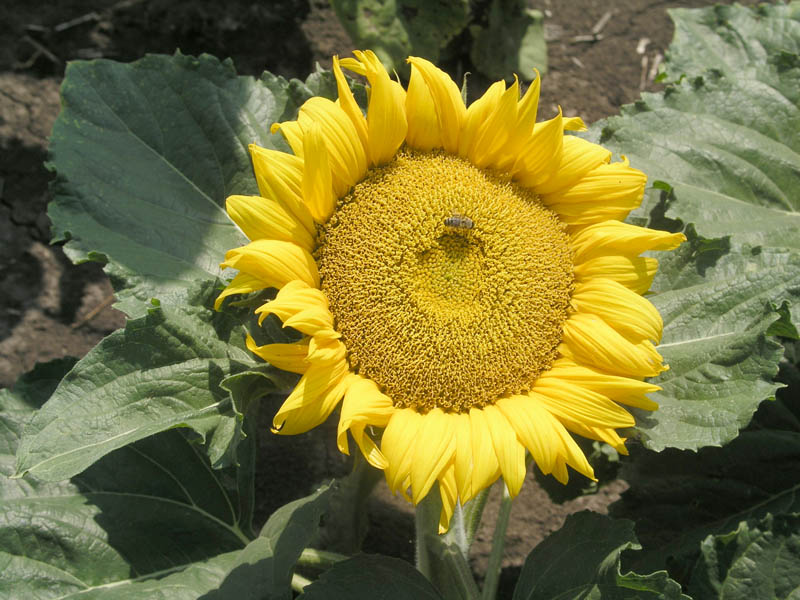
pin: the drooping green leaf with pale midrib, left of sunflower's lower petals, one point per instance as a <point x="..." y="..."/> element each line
<point x="170" y="368"/>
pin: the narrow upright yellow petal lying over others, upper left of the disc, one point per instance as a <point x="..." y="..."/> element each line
<point x="317" y="182"/>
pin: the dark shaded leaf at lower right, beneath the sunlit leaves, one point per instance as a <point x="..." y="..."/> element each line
<point x="678" y="498"/>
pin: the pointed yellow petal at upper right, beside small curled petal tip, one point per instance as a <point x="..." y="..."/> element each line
<point x="541" y="154"/>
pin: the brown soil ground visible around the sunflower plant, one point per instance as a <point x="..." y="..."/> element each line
<point x="51" y="308"/>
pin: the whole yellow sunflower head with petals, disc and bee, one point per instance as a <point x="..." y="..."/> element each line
<point x="462" y="278"/>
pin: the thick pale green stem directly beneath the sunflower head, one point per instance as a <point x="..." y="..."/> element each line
<point x="442" y="558"/>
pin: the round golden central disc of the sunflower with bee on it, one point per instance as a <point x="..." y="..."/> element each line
<point x="449" y="283"/>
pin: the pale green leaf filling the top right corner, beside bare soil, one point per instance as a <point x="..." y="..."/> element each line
<point x="731" y="38"/>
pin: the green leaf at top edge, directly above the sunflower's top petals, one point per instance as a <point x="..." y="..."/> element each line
<point x="399" y="28"/>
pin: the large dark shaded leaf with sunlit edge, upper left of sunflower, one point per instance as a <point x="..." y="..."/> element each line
<point x="146" y="153"/>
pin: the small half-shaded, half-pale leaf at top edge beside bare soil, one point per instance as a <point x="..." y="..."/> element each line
<point x="511" y="43"/>
